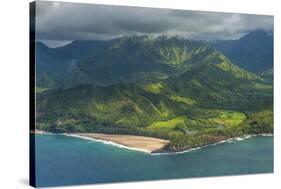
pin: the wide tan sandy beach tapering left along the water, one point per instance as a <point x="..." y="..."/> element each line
<point x="148" y="144"/>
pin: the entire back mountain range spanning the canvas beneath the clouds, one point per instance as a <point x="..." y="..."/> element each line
<point x="143" y="59"/>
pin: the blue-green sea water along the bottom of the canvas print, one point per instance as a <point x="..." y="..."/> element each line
<point x="63" y="160"/>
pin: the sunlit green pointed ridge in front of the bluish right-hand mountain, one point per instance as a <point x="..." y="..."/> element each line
<point x="219" y="83"/>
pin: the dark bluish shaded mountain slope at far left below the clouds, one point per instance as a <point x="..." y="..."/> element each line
<point x="54" y="64"/>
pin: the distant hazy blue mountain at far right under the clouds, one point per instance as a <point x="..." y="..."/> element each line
<point x="253" y="52"/>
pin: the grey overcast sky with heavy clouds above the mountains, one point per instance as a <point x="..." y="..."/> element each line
<point x="58" y="23"/>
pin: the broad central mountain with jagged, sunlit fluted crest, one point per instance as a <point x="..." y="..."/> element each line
<point x="136" y="59"/>
